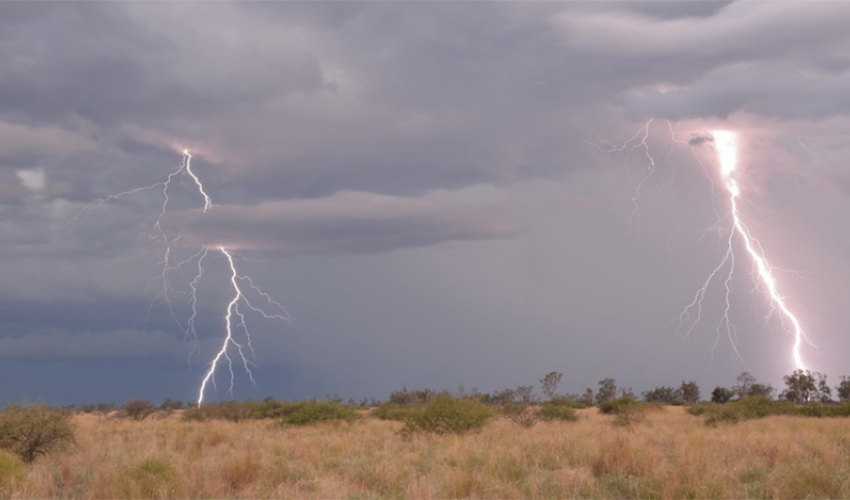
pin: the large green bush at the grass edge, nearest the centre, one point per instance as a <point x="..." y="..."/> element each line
<point x="446" y="415"/>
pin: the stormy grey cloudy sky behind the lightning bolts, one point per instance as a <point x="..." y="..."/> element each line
<point x="439" y="194"/>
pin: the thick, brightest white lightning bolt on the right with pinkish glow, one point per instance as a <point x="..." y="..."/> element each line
<point x="726" y="146"/>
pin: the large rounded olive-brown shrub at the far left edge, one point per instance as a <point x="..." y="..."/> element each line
<point x="34" y="430"/>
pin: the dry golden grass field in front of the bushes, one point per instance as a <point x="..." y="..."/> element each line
<point x="670" y="454"/>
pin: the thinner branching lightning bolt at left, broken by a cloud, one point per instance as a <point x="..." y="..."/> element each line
<point x="234" y="318"/>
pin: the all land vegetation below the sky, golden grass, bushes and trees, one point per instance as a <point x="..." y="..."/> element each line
<point x="428" y="444"/>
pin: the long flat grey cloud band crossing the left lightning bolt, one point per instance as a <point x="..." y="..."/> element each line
<point x="347" y="223"/>
